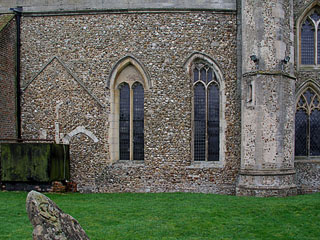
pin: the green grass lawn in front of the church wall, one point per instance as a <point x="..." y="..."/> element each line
<point x="173" y="216"/>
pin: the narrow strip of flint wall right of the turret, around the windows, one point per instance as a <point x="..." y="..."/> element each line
<point x="307" y="170"/>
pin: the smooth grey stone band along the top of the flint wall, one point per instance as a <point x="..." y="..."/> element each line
<point x="92" y="5"/>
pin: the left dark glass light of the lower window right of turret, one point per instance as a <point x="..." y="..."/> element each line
<point x="301" y="133"/>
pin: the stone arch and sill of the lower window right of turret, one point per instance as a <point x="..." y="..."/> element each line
<point x="316" y="88"/>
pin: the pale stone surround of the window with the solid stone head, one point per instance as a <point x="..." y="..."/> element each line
<point x="112" y="85"/>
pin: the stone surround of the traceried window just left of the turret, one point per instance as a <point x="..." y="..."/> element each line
<point x="221" y="83"/>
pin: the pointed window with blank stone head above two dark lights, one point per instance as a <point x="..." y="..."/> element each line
<point x="126" y="131"/>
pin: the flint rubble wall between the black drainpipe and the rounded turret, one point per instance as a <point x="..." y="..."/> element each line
<point x="66" y="62"/>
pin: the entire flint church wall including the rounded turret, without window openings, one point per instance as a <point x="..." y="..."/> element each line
<point x="71" y="51"/>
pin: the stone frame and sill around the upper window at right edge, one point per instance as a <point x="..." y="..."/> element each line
<point x="302" y="17"/>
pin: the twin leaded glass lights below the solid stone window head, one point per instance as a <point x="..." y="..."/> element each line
<point x="131" y="121"/>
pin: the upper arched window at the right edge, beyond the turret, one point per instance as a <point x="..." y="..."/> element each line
<point x="310" y="38"/>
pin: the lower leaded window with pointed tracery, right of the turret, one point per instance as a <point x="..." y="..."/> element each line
<point x="307" y="124"/>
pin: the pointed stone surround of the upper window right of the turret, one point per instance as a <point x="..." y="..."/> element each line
<point x="302" y="15"/>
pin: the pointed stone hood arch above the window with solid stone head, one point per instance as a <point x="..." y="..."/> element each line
<point x="124" y="62"/>
